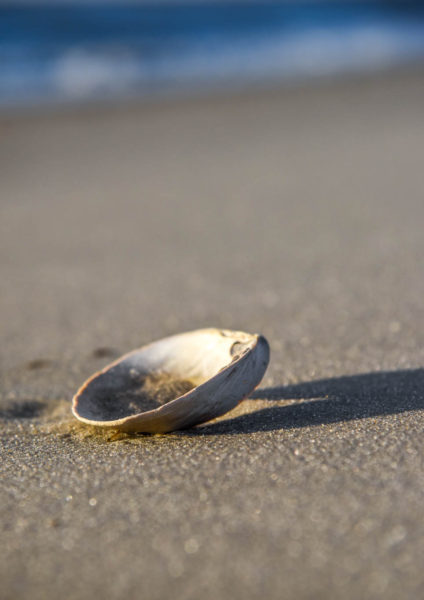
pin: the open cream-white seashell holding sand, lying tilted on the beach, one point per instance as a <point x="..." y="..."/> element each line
<point x="174" y="383"/>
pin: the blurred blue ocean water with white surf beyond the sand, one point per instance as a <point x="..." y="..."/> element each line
<point x="77" y="53"/>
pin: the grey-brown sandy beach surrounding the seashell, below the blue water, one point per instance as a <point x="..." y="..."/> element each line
<point x="294" y="213"/>
